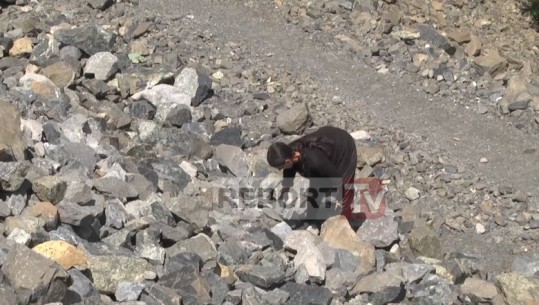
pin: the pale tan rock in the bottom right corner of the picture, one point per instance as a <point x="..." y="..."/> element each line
<point x="517" y="288"/>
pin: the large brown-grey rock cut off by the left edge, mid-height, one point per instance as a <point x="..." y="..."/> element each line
<point x="12" y="142"/>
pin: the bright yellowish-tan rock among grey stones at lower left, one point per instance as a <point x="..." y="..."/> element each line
<point x="65" y="254"/>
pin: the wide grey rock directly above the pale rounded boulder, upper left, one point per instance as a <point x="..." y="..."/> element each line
<point x="91" y="39"/>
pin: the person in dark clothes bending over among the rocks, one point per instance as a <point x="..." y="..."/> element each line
<point x="328" y="152"/>
